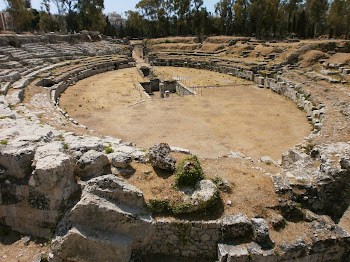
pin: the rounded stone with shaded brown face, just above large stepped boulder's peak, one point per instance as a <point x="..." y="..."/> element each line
<point x="92" y="163"/>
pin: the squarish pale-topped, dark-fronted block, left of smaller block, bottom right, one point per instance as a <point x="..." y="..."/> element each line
<point x="237" y="227"/>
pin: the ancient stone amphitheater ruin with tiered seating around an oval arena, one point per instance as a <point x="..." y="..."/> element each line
<point x="268" y="120"/>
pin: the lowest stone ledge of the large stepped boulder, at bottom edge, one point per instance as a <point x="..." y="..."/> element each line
<point x="86" y="244"/>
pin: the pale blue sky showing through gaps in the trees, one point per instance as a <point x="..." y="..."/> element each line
<point x="119" y="6"/>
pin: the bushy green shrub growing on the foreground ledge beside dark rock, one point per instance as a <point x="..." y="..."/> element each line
<point x="189" y="172"/>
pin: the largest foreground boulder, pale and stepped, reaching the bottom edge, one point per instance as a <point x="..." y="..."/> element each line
<point x="108" y="222"/>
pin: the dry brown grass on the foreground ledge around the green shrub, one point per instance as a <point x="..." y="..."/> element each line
<point x="251" y="192"/>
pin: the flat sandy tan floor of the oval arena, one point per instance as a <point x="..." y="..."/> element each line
<point x="240" y="117"/>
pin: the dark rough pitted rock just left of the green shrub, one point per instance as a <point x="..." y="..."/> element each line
<point x="160" y="157"/>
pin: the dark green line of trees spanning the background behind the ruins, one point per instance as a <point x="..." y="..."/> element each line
<point x="160" y="18"/>
